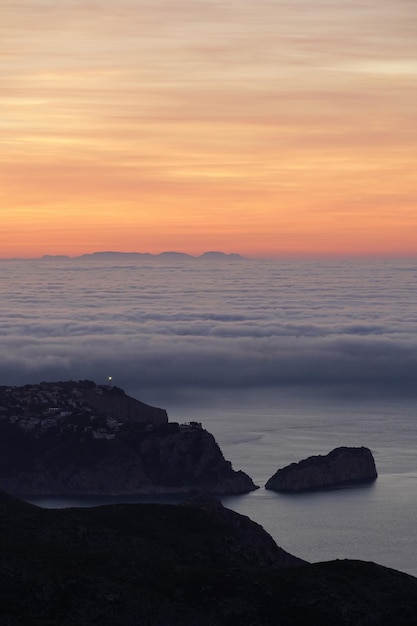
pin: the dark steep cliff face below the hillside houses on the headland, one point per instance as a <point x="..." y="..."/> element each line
<point x="166" y="459"/>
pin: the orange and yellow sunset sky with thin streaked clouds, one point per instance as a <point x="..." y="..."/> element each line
<point x="271" y="128"/>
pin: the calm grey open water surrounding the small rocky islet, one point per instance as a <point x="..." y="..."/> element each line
<point x="375" y="523"/>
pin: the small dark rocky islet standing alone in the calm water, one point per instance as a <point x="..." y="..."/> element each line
<point x="342" y="466"/>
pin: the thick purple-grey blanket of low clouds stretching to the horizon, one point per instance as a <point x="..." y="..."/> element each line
<point x="166" y="325"/>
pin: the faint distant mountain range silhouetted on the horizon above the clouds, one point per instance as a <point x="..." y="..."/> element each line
<point x="169" y="256"/>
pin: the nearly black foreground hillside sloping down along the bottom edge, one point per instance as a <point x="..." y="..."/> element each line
<point x="173" y="565"/>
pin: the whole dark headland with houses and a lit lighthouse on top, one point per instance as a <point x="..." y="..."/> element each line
<point x="83" y="439"/>
